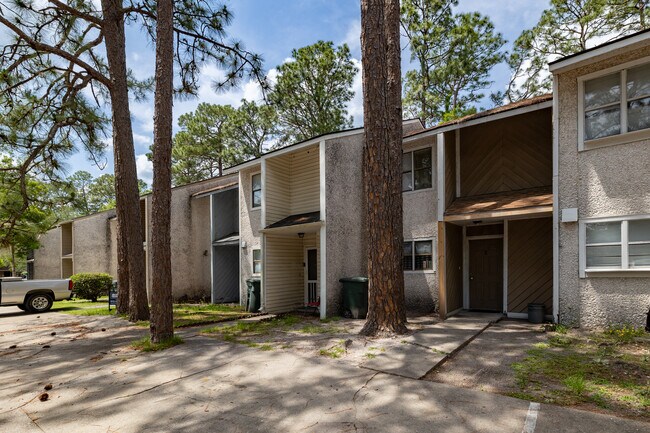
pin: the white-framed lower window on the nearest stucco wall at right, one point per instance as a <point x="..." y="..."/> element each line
<point x="617" y="245"/>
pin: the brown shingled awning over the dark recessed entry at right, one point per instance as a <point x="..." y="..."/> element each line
<point x="525" y="202"/>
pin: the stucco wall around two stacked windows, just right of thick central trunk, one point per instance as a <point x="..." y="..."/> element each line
<point x="420" y="212"/>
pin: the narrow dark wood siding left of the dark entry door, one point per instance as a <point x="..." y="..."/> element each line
<point x="454" y="266"/>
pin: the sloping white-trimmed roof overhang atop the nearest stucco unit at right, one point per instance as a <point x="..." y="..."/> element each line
<point x="591" y="55"/>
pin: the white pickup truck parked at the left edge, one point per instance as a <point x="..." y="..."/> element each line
<point x="33" y="296"/>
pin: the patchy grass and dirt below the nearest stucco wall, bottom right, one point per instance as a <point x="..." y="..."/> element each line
<point x="608" y="370"/>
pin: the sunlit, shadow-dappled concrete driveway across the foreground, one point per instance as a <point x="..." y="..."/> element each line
<point x="100" y="385"/>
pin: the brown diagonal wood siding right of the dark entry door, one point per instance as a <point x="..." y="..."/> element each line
<point x="530" y="264"/>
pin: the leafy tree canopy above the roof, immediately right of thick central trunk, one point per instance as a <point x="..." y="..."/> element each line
<point x="454" y="54"/>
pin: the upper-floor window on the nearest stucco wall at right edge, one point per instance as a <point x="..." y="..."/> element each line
<point x="616" y="103"/>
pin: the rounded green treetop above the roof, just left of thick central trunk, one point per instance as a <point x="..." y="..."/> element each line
<point x="312" y="91"/>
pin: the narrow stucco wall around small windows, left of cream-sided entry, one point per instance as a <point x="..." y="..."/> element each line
<point x="250" y="222"/>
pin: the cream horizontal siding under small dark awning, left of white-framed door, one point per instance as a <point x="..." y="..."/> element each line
<point x="284" y="273"/>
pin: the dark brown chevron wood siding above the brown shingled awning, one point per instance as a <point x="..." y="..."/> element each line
<point x="507" y="155"/>
